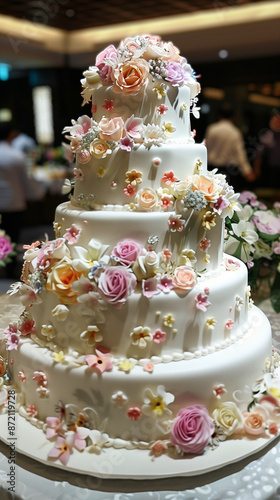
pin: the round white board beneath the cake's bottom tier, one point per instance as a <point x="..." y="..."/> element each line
<point x="132" y="464"/>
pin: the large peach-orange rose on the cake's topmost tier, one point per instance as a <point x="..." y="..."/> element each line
<point x="130" y="77"/>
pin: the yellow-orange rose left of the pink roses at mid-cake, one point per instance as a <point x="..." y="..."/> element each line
<point x="60" y="279"/>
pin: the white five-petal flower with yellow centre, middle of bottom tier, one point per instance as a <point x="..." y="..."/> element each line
<point x="156" y="404"/>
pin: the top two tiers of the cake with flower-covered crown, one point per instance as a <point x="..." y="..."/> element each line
<point x="139" y="133"/>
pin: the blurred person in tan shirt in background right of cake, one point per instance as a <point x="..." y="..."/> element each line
<point x="226" y="152"/>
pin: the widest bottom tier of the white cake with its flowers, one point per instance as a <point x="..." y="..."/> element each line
<point x="182" y="406"/>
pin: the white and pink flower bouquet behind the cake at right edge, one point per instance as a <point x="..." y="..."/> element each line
<point x="253" y="236"/>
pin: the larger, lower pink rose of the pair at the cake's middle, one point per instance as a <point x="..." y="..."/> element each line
<point x="115" y="285"/>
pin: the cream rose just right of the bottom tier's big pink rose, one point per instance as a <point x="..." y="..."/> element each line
<point x="228" y="417"/>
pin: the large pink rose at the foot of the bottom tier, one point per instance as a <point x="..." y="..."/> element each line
<point x="192" y="429"/>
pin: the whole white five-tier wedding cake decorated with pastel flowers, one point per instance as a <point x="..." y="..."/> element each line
<point x="137" y="331"/>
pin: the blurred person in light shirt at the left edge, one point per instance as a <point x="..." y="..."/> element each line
<point x="16" y="187"/>
